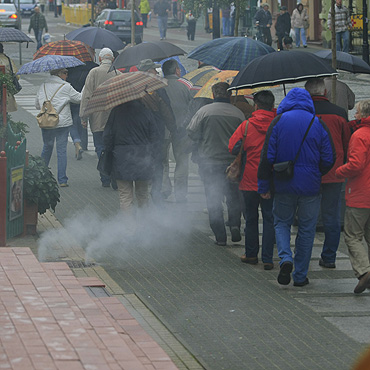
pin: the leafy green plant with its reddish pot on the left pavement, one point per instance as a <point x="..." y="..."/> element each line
<point x="41" y="191"/>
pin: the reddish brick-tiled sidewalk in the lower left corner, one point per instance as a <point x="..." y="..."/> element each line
<point x="48" y="321"/>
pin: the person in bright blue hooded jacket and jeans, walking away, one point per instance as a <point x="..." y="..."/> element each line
<point x="301" y="194"/>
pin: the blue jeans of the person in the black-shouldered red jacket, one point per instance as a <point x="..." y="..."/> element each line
<point x="330" y="214"/>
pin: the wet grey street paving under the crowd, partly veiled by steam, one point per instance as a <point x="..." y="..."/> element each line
<point x="205" y="303"/>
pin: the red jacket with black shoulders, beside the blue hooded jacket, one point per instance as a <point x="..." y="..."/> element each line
<point x="335" y="118"/>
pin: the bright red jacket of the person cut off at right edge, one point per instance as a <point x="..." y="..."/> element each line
<point x="357" y="169"/>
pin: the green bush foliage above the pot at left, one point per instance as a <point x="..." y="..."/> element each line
<point x="40" y="185"/>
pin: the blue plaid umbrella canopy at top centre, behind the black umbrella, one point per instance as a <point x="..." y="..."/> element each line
<point x="230" y="52"/>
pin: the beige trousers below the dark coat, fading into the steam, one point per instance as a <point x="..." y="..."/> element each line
<point x="126" y="194"/>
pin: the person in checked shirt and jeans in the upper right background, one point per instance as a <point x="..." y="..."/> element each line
<point x="342" y="26"/>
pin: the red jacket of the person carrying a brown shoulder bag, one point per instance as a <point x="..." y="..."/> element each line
<point x="256" y="134"/>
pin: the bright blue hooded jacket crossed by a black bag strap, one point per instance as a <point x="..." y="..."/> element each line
<point x="282" y="143"/>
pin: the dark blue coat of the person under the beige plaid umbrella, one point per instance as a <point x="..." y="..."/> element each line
<point x="131" y="133"/>
